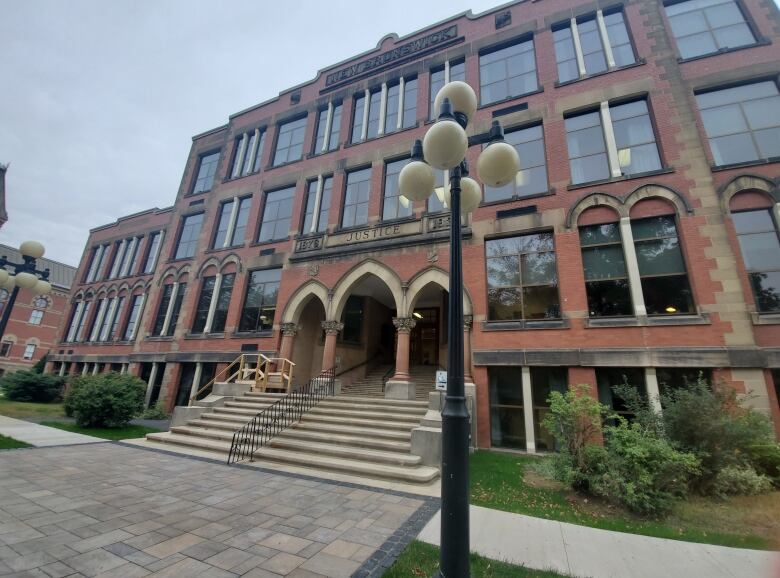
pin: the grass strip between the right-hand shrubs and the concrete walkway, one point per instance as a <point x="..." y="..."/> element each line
<point x="504" y="482"/>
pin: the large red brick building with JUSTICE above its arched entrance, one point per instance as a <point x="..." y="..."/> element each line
<point x="639" y="241"/>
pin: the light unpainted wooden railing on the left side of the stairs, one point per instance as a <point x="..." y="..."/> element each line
<point x="262" y="372"/>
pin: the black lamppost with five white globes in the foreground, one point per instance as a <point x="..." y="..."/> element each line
<point x="444" y="147"/>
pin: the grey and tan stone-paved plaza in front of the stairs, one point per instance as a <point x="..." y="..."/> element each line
<point x="116" y="510"/>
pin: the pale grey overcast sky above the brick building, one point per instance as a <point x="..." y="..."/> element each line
<point x="99" y="100"/>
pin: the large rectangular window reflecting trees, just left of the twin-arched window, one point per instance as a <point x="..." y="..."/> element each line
<point x="522" y="278"/>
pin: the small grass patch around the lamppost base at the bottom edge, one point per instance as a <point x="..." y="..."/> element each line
<point x="422" y="560"/>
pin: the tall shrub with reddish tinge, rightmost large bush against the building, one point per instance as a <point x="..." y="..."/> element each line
<point x="711" y="423"/>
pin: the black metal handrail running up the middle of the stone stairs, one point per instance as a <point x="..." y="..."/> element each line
<point x="279" y="415"/>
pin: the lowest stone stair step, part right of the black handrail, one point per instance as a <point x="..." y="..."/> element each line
<point x="417" y="474"/>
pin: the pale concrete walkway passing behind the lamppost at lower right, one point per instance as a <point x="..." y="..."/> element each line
<point x="589" y="552"/>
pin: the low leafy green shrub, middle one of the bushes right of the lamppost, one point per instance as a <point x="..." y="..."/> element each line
<point x="639" y="470"/>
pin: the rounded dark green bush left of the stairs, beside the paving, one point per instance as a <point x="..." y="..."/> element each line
<point x="105" y="400"/>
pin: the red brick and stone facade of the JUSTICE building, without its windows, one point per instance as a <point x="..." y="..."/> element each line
<point x="724" y="334"/>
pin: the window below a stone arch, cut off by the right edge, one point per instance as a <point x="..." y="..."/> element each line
<point x="760" y="247"/>
